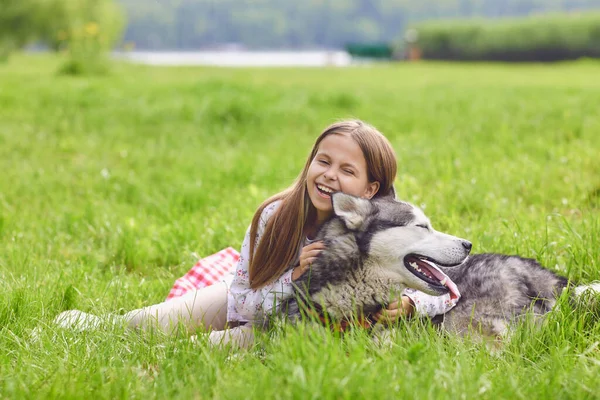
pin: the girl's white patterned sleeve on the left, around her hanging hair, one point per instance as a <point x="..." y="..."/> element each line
<point x="251" y="304"/>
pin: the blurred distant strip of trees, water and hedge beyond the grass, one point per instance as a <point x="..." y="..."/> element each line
<point x="313" y="32"/>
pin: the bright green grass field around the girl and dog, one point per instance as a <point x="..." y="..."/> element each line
<point x="111" y="187"/>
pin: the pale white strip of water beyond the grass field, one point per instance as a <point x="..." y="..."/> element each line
<point x="240" y="58"/>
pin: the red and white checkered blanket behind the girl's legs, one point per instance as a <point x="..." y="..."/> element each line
<point x="205" y="272"/>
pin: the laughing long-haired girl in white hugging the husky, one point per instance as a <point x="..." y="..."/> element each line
<point x="348" y="156"/>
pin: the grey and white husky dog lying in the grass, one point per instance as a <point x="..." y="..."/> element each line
<point x="376" y="248"/>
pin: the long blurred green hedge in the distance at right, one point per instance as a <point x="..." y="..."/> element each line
<point x="539" y="38"/>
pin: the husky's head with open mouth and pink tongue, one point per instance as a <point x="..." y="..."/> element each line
<point x="398" y="238"/>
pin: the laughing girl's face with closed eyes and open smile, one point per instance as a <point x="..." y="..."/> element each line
<point x="338" y="166"/>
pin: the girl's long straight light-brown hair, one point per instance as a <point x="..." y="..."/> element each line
<point x="283" y="235"/>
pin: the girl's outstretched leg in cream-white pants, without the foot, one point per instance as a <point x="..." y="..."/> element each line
<point x="205" y="307"/>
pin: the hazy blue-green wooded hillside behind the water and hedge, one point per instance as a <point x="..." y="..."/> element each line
<point x="194" y="24"/>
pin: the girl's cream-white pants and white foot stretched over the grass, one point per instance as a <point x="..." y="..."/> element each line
<point x="206" y="307"/>
